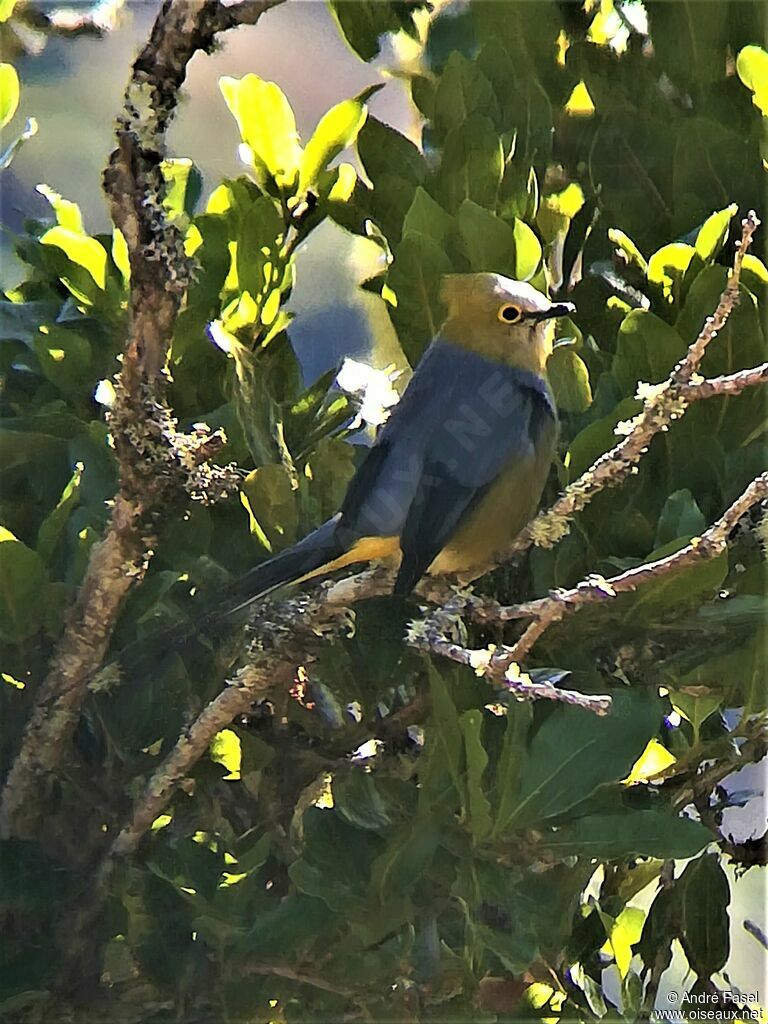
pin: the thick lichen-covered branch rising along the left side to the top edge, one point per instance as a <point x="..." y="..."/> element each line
<point x="157" y="467"/>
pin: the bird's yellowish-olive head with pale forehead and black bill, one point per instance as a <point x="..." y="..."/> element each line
<point x="503" y="320"/>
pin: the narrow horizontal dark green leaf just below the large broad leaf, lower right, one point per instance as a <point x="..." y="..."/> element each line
<point x="659" y="834"/>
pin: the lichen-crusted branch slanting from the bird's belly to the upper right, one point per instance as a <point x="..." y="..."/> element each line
<point x="662" y="405"/>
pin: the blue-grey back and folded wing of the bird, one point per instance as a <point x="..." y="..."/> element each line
<point x="462" y="420"/>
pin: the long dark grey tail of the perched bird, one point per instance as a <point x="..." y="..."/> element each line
<point x="319" y="548"/>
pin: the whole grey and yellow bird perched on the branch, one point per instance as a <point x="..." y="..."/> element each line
<point x="458" y="470"/>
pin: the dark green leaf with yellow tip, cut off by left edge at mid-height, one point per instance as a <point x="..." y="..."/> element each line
<point x="22" y="582"/>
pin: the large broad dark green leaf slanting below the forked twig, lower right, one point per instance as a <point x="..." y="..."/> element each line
<point x="574" y="753"/>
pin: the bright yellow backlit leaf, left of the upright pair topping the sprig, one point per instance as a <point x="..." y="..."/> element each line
<point x="267" y="125"/>
